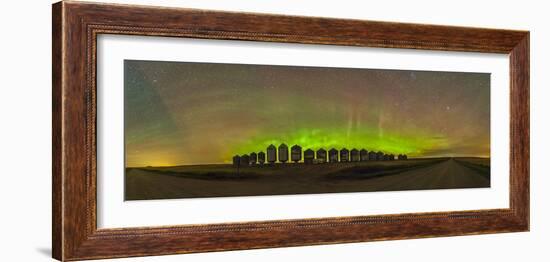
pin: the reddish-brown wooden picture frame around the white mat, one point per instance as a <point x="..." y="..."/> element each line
<point x="76" y="26"/>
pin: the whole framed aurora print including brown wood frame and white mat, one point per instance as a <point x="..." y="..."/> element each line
<point x="182" y="130"/>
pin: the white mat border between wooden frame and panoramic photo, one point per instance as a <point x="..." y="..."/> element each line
<point x="113" y="212"/>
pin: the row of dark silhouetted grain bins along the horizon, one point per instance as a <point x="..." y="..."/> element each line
<point x="281" y="155"/>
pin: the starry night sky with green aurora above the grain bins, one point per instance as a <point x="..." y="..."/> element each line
<point x="180" y="113"/>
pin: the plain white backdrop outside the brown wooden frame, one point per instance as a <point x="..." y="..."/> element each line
<point x="25" y="136"/>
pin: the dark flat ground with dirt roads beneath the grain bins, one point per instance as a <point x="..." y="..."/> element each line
<point x="282" y="179"/>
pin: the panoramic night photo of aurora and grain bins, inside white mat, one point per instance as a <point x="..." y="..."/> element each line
<point x="196" y="130"/>
